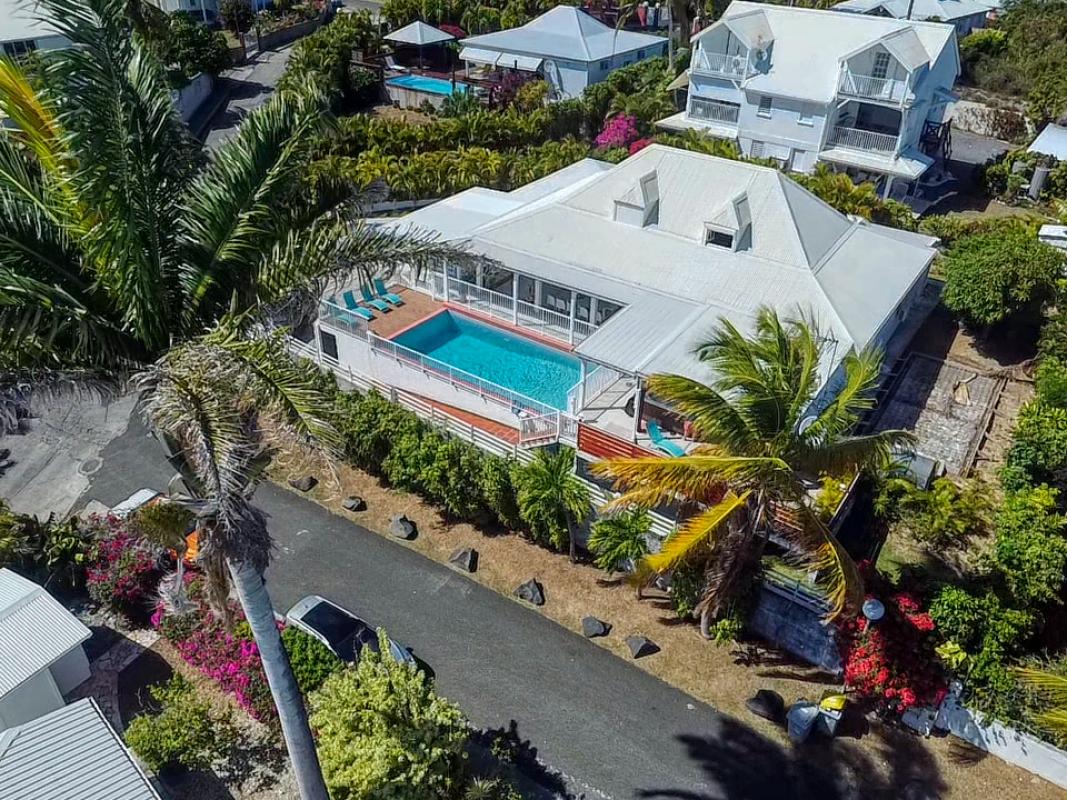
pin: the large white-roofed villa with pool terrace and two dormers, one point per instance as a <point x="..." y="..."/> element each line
<point x="601" y="276"/>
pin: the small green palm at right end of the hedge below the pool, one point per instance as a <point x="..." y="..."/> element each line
<point x="551" y="499"/>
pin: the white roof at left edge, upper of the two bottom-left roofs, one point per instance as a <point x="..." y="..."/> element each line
<point x="36" y="631"/>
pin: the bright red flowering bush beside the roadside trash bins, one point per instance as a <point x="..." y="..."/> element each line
<point x="893" y="661"/>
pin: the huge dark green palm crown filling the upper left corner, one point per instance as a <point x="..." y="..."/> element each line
<point x="119" y="237"/>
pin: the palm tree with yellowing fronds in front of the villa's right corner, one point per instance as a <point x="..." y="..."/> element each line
<point x="761" y="440"/>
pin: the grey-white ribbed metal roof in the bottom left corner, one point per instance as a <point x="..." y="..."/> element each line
<point x="70" y="755"/>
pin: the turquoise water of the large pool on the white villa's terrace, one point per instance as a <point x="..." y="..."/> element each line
<point x="536" y="371"/>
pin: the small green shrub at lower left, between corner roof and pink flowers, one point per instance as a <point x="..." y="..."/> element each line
<point x="187" y="732"/>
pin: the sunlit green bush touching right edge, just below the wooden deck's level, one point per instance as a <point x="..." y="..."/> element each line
<point x="1030" y="551"/>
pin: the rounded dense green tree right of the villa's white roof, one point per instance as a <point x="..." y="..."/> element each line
<point x="991" y="278"/>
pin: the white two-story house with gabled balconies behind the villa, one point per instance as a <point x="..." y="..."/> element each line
<point x="865" y="94"/>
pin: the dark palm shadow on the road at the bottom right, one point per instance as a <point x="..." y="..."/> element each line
<point x="741" y="764"/>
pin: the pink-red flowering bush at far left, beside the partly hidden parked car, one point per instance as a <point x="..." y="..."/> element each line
<point x="124" y="568"/>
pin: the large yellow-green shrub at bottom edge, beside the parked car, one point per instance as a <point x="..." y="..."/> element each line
<point x="385" y="733"/>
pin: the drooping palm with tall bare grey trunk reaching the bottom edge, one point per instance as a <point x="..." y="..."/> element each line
<point x="226" y="399"/>
